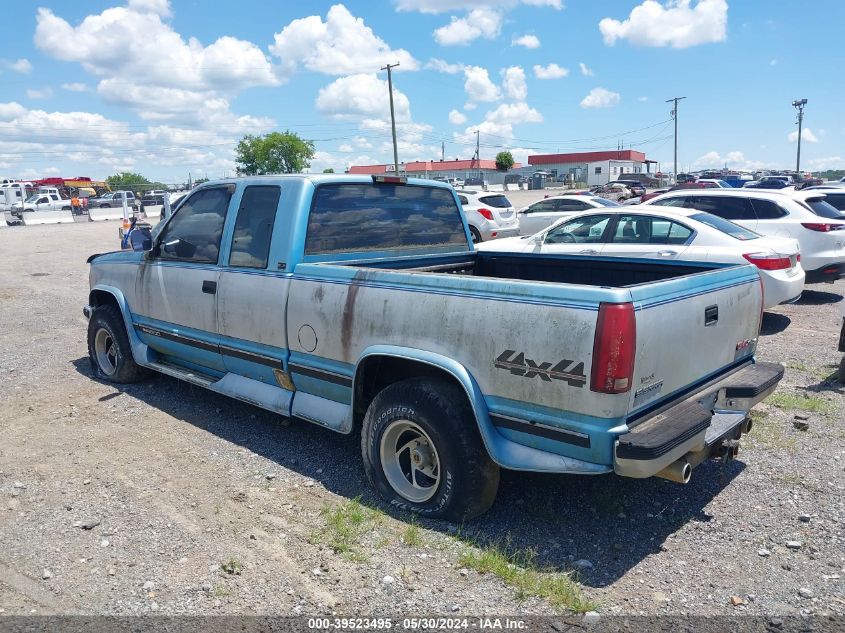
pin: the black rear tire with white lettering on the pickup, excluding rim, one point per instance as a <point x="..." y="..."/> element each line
<point x="468" y="478"/>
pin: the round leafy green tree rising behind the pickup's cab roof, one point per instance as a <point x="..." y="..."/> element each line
<point x="274" y="153"/>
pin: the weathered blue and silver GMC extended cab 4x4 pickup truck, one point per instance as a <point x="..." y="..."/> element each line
<point x="359" y="304"/>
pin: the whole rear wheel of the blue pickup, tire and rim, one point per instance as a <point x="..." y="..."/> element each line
<point x="423" y="453"/>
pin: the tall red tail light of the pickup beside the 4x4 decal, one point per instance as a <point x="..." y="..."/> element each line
<point x="614" y="348"/>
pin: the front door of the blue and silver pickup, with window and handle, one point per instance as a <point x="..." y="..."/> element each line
<point x="176" y="288"/>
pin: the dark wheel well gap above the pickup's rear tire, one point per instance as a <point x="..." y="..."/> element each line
<point x="377" y="372"/>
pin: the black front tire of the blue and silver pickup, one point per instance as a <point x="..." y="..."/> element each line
<point x="107" y="322"/>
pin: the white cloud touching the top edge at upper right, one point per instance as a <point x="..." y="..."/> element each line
<point x="676" y="24"/>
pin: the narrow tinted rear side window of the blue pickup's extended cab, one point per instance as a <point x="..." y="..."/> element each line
<point x="254" y="227"/>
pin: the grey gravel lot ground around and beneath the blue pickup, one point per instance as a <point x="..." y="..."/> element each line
<point x="161" y="497"/>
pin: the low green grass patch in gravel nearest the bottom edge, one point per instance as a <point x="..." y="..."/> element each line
<point x="520" y="571"/>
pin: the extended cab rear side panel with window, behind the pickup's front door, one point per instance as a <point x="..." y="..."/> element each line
<point x="253" y="290"/>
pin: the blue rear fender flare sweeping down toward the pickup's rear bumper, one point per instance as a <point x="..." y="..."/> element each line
<point x="504" y="452"/>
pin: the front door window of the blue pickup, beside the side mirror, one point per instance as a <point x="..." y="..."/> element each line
<point x="193" y="233"/>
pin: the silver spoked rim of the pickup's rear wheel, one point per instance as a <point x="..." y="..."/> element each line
<point x="410" y="461"/>
